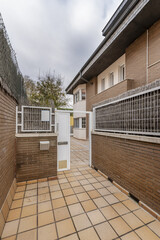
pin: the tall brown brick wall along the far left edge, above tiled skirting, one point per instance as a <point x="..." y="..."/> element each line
<point x="7" y="143"/>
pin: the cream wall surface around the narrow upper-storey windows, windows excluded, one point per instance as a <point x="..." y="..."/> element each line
<point x="112" y="68"/>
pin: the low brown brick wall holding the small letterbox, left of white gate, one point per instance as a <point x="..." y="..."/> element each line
<point x="33" y="163"/>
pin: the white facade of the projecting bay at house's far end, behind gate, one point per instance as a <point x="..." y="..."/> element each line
<point x="79" y="105"/>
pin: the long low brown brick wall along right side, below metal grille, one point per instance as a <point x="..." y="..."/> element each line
<point x="134" y="165"/>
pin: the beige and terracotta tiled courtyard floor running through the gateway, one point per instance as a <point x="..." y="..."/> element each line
<point x="81" y="204"/>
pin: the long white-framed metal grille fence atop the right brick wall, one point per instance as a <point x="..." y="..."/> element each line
<point x="137" y="114"/>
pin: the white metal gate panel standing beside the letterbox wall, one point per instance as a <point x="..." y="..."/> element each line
<point x="63" y="130"/>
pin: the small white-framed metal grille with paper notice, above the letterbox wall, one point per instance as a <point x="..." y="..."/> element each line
<point x="35" y="119"/>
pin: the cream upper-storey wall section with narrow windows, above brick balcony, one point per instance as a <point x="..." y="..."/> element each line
<point x="104" y="77"/>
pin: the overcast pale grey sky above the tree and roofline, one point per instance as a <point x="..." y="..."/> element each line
<point x="58" y="35"/>
